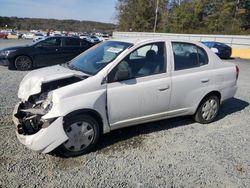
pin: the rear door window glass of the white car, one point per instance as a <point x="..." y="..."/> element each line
<point x="188" y="56"/>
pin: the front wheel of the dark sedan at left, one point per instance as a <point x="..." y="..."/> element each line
<point x="23" y="63"/>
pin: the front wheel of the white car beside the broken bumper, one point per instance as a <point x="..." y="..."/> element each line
<point x="71" y="124"/>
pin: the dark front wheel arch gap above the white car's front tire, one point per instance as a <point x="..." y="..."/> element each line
<point x="91" y="113"/>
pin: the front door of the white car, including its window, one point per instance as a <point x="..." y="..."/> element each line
<point x="144" y="94"/>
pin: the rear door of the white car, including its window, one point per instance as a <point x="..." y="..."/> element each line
<point x="191" y="76"/>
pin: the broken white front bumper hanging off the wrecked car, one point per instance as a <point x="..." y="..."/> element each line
<point x="46" y="139"/>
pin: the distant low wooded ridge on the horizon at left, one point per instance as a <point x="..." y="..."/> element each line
<point x="53" y="24"/>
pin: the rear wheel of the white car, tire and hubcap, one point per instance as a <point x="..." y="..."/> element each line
<point x="207" y="110"/>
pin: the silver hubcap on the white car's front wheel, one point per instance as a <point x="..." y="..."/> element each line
<point x="80" y="134"/>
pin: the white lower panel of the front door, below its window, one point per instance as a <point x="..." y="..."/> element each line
<point x="144" y="96"/>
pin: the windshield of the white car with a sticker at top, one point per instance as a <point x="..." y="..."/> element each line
<point x="96" y="58"/>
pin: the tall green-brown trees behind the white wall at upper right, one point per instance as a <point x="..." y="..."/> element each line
<point x="185" y="16"/>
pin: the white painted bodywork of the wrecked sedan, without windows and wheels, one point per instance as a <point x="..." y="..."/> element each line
<point x="130" y="102"/>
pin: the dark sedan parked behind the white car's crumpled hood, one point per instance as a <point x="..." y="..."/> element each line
<point x="45" y="52"/>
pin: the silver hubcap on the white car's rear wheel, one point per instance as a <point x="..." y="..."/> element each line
<point x="209" y="109"/>
